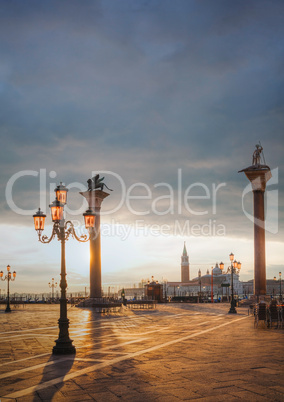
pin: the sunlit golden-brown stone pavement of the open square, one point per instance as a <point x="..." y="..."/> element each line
<point x="174" y="353"/>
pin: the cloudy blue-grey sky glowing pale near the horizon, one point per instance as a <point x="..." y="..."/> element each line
<point x="171" y="94"/>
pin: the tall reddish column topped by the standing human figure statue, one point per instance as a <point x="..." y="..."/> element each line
<point x="258" y="174"/>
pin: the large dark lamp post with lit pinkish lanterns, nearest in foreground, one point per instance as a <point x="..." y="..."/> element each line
<point x="62" y="230"/>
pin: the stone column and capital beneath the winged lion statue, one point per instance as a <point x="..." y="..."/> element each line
<point x="95" y="199"/>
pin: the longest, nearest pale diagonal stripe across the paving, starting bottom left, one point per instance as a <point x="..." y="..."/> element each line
<point x="99" y="366"/>
